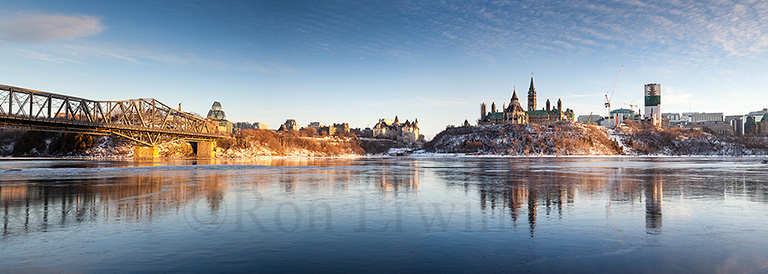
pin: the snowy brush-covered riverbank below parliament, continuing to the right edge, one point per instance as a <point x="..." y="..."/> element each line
<point x="589" y="140"/>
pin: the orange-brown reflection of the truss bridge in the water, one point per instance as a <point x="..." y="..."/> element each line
<point x="35" y="205"/>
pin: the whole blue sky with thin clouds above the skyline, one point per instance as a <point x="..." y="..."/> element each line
<point x="359" y="61"/>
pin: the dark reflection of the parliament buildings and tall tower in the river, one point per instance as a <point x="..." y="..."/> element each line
<point x="531" y="193"/>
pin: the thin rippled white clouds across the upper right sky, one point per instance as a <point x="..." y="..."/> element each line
<point x="692" y="30"/>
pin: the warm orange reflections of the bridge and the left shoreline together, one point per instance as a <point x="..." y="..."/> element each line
<point x="38" y="199"/>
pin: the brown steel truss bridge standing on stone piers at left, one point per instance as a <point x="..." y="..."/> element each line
<point x="147" y="122"/>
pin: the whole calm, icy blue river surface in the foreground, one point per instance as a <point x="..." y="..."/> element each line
<point x="605" y="215"/>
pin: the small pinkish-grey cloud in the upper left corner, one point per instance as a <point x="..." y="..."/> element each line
<point x="41" y="28"/>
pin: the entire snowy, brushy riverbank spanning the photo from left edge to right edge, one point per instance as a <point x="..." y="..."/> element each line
<point x="566" y="139"/>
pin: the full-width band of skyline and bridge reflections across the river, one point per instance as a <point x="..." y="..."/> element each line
<point x="516" y="187"/>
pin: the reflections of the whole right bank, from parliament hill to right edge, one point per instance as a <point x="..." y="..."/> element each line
<point x="522" y="186"/>
